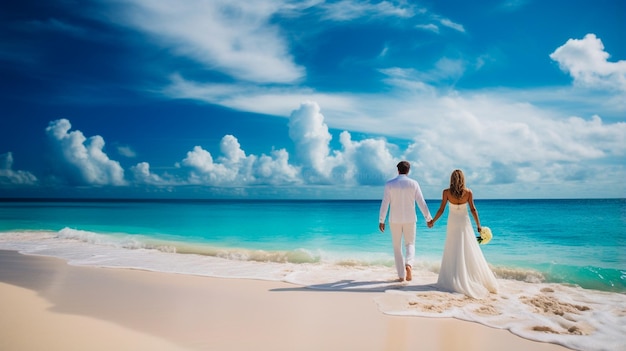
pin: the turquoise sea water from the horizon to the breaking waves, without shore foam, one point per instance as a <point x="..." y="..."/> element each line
<point x="580" y="242"/>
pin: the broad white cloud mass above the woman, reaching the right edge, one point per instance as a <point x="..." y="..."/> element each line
<point x="479" y="133"/>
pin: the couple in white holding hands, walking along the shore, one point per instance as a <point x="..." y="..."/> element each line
<point x="463" y="266"/>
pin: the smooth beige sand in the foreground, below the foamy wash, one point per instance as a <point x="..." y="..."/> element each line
<point x="48" y="304"/>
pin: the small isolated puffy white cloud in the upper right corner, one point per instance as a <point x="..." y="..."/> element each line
<point x="587" y="62"/>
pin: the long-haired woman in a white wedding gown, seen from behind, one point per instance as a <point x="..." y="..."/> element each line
<point x="463" y="266"/>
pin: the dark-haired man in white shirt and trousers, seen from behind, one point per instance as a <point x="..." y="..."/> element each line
<point x="401" y="194"/>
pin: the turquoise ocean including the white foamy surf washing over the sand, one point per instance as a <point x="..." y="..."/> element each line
<point x="564" y="253"/>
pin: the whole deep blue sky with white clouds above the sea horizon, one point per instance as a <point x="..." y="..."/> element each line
<point x="311" y="99"/>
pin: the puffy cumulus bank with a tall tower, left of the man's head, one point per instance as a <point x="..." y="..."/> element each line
<point x="365" y="162"/>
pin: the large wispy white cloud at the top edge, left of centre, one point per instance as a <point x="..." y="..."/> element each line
<point x="237" y="38"/>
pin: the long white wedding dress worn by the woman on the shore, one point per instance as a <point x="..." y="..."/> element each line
<point x="463" y="266"/>
